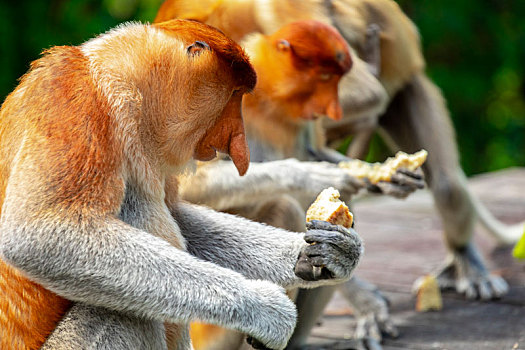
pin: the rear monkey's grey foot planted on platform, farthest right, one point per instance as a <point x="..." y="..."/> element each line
<point x="465" y="272"/>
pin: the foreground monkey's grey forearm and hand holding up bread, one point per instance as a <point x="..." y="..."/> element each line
<point x="259" y="251"/>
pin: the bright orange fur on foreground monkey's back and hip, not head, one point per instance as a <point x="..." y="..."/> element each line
<point x="30" y="312"/>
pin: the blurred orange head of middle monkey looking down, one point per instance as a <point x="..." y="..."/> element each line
<point x="306" y="59"/>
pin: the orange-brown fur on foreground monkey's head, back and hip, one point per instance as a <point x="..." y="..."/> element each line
<point x="60" y="120"/>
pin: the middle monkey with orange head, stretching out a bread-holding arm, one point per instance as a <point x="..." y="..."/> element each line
<point x="298" y="68"/>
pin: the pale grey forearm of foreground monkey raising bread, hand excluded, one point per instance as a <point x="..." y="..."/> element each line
<point x="257" y="251"/>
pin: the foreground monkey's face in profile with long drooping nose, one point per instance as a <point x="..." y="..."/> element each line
<point x="216" y="75"/>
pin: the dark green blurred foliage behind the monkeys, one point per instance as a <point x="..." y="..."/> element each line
<point x="475" y="52"/>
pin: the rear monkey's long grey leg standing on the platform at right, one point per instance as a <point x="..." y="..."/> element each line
<point x="417" y="118"/>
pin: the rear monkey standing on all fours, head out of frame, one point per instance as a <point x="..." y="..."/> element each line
<point x="402" y="104"/>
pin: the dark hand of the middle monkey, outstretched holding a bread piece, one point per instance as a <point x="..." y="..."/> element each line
<point x="402" y="183"/>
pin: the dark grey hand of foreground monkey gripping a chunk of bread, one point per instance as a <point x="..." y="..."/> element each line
<point x="332" y="253"/>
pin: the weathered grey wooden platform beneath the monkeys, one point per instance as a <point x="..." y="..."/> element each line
<point x="403" y="241"/>
